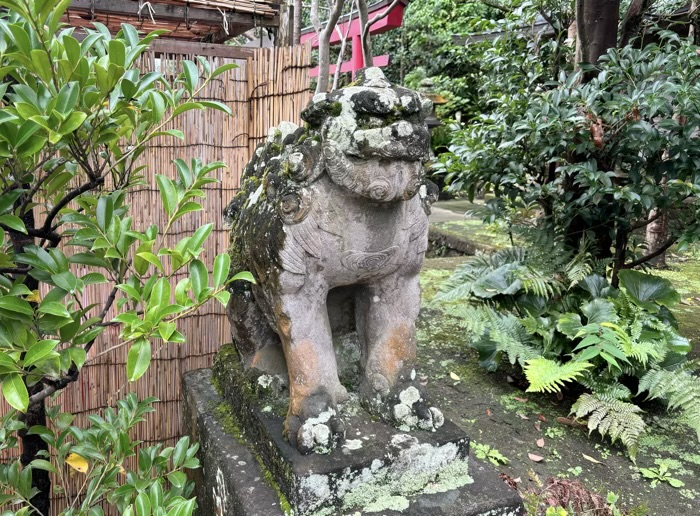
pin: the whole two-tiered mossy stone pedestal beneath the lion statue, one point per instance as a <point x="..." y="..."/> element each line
<point x="249" y="469"/>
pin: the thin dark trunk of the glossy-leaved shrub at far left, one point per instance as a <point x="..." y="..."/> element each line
<point x="36" y="413"/>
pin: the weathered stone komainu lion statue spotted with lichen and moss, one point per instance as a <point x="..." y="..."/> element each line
<point x="332" y="221"/>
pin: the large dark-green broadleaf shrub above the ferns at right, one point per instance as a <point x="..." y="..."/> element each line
<point x="597" y="158"/>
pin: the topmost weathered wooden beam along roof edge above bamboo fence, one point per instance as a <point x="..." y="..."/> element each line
<point x="171" y="12"/>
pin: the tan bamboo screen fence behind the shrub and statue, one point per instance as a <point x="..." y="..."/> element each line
<point x="270" y="85"/>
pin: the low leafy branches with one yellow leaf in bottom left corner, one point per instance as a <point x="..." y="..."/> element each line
<point x="100" y="453"/>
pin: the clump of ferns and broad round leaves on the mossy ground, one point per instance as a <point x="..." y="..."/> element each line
<point x="550" y="313"/>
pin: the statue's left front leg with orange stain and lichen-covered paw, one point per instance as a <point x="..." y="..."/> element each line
<point x="314" y="388"/>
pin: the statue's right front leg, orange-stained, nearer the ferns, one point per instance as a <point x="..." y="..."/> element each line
<point x="386" y="325"/>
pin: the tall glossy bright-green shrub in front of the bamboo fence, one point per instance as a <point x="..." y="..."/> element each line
<point x="75" y="117"/>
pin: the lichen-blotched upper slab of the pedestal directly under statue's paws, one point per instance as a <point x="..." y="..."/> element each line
<point x="375" y="458"/>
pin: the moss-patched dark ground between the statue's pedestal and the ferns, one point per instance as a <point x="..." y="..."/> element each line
<point x="494" y="410"/>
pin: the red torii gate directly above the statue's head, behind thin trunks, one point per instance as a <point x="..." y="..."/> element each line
<point x="392" y="20"/>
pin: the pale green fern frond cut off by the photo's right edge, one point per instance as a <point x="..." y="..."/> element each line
<point x="679" y="388"/>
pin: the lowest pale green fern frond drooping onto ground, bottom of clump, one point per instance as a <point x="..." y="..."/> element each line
<point x="613" y="417"/>
